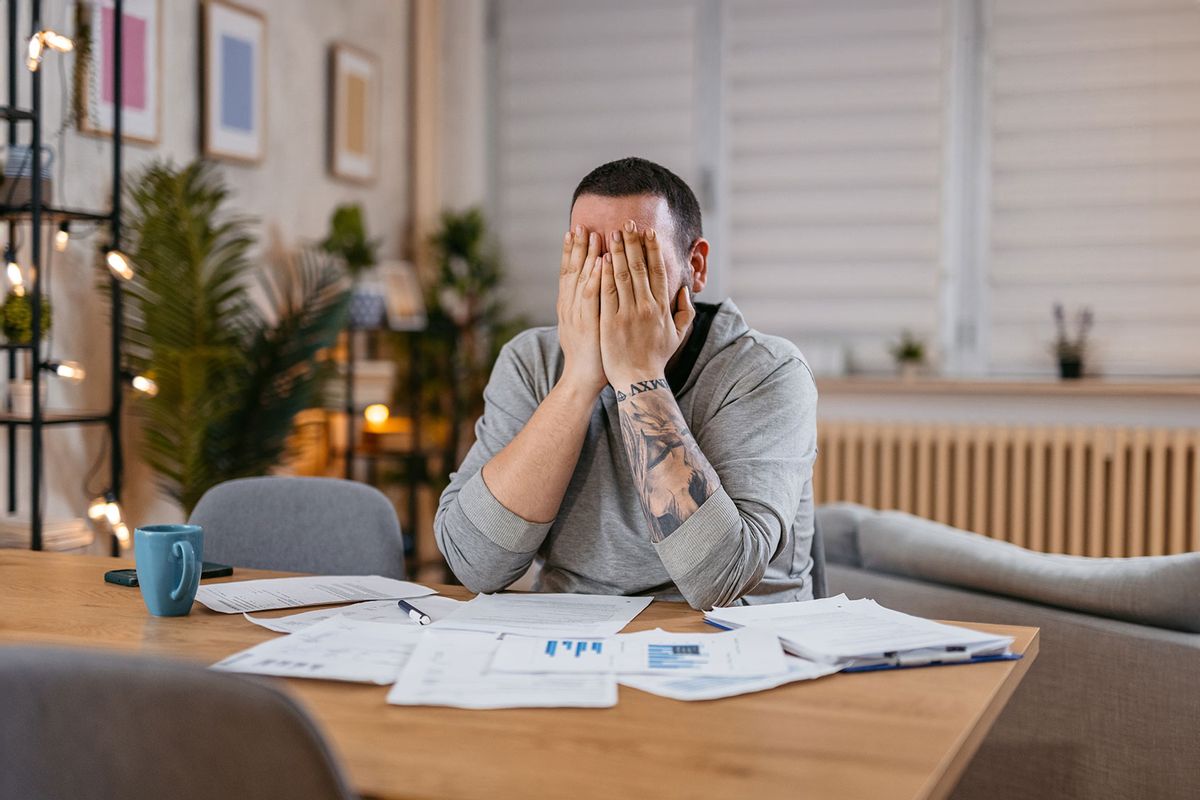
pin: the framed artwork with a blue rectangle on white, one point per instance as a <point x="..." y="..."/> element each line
<point x="233" y="103"/>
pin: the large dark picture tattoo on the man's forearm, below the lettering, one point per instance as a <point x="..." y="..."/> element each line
<point x="674" y="479"/>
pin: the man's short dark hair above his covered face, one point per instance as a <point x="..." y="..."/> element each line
<point x="633" y="176"/>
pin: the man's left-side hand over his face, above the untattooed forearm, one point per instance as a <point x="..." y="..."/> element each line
<point x="579" y="311"/>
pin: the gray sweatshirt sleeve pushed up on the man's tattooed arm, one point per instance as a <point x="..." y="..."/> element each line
<point x="761" y="444"/>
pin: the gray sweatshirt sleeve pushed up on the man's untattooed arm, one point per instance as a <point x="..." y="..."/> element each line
<point x="487" y="545"/>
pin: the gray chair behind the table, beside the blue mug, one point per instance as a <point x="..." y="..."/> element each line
<point x="302" y="525"/>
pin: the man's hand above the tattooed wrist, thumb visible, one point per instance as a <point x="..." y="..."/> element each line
<point x="639" y="333"/>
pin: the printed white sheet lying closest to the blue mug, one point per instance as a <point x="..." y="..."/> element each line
<point x="241" y="597"/>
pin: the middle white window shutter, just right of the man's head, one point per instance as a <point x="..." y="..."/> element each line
<point x="835" y="128"/>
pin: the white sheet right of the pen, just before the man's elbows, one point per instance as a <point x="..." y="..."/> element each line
<point x="545" y="615"/>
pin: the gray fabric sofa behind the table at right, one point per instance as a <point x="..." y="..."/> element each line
<point x="1112" y="706"/>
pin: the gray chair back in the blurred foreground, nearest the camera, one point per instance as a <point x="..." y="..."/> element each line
<point x="97" y="726"/>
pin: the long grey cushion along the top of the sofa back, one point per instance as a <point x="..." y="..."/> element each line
<point x="1160" y="591"/>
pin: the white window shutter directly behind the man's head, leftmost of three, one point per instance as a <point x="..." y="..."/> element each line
<point x="563" y="67"/>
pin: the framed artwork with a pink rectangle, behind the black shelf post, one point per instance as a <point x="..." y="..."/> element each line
<point x="141" y="69"/>
